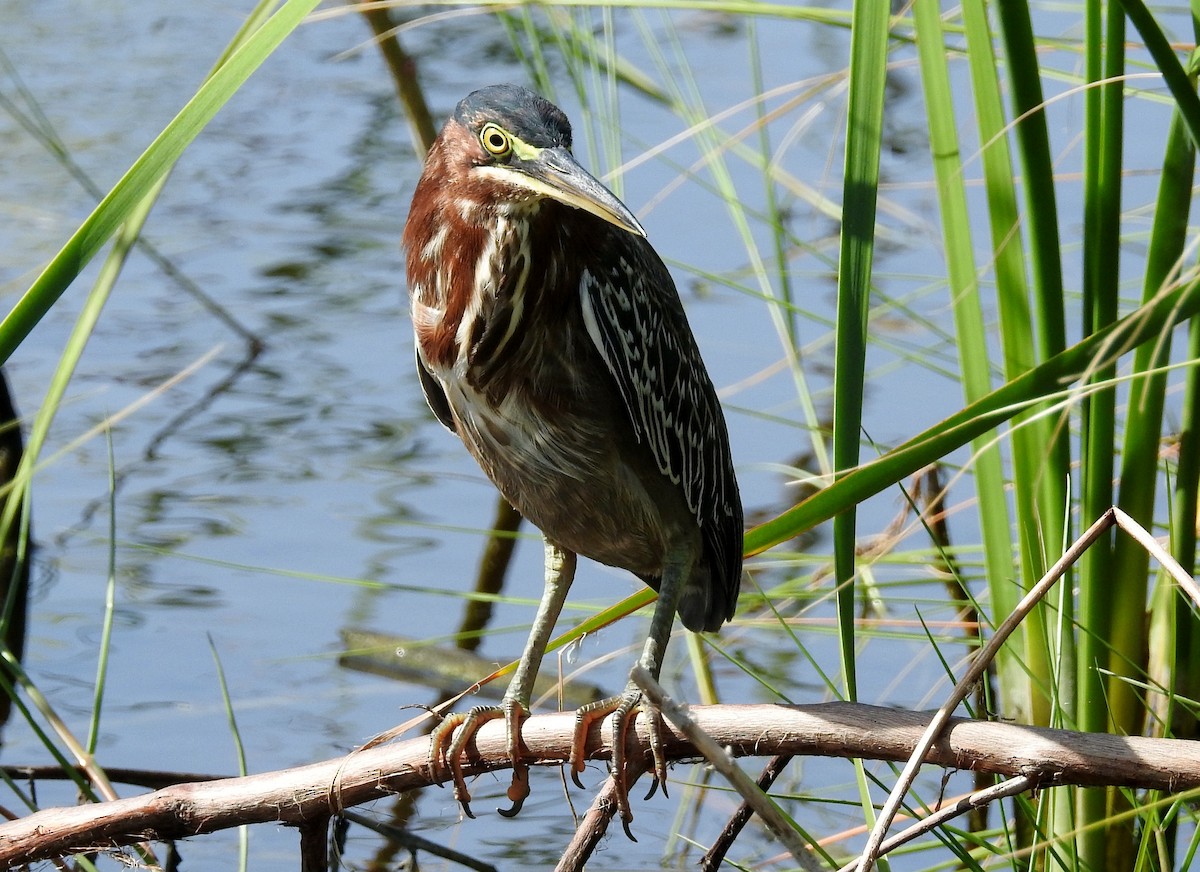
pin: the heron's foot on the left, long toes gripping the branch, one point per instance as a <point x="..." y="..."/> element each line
<point x="449" y="742"/>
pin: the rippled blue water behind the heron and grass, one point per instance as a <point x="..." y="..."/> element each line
<point x="263" y="507"/>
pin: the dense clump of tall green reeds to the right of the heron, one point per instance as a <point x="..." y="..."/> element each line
<point x="1065" y="393"/>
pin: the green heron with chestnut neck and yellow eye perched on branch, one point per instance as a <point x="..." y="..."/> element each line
<point x="551" y="339"/>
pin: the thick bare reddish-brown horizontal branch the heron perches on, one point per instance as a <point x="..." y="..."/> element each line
<point x="835" y="730"/>
